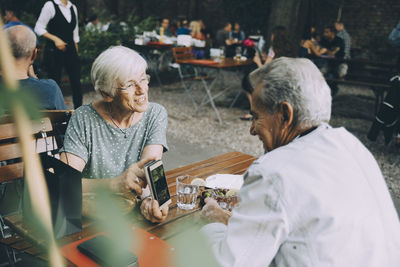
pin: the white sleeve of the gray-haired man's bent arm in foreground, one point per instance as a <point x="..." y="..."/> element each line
<point x="257" y="228"/>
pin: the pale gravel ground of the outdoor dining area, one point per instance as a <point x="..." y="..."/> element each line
<point x="353" y="108"/>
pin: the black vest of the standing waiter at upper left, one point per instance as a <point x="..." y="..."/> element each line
<point x="60" y="27"/>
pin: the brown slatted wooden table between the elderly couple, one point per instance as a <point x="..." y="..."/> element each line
<point x="229" y="163"/>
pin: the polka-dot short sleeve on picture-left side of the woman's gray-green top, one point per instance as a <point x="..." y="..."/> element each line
<point x="75" y="138"/>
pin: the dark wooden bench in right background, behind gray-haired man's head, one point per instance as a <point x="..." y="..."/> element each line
<point x="365" y="73"/>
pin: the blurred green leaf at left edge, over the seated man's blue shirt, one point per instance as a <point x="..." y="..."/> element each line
<point x="8" y="98"/>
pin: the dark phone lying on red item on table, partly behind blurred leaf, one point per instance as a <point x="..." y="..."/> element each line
<point x="103" y="251"/>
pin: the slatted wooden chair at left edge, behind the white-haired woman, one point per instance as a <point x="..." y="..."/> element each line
<point x="47" y="132"/>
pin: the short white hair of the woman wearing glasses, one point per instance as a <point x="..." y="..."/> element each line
<point x="115" y="66"/>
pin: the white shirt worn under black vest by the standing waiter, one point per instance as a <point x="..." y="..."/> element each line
<point x="48" y="12"/>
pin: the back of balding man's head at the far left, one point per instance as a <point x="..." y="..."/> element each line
<point x="22" y="41"/>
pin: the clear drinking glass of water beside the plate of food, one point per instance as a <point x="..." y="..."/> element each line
<point x="186" y="192"/>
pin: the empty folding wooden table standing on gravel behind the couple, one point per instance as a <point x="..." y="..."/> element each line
<point x="225" y="64"/>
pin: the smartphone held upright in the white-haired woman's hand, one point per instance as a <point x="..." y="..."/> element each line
<point x="157" y="182"/>
